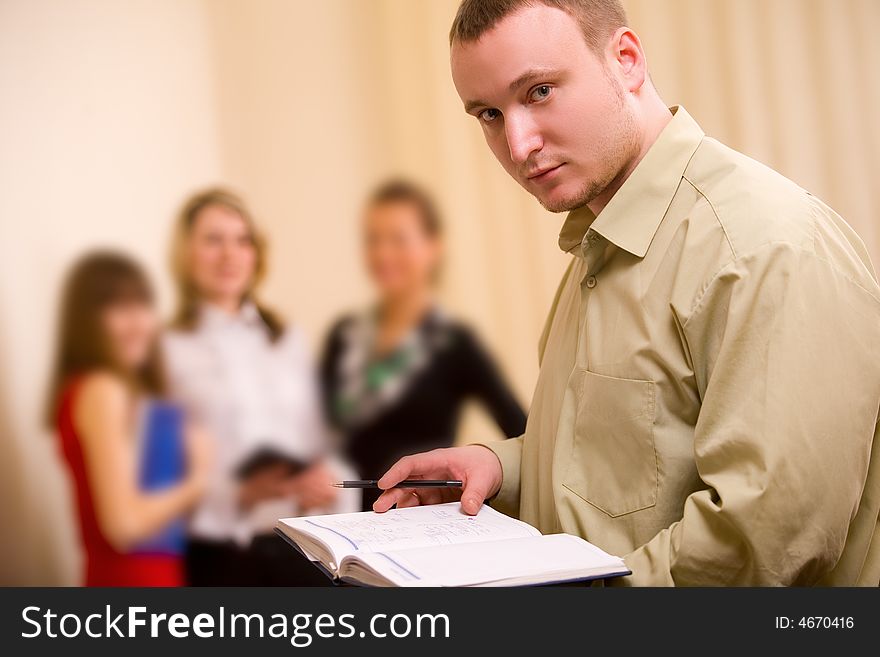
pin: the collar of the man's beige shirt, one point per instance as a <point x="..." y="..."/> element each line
<point x="634" y="213"/>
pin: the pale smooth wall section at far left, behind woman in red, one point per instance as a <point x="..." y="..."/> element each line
<point x="108" y="117"/>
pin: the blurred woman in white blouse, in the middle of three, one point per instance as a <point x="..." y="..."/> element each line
<point x="246" y="375"/>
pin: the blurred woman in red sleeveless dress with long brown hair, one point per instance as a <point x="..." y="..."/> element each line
<point x="107" y="372"/>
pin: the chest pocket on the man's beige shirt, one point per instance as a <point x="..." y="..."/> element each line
<point x="613" y="463"/>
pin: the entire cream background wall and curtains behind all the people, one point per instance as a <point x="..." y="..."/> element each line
<point x="112" y="112"/>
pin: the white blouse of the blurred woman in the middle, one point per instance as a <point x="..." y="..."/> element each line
<point x="248" y="393"/>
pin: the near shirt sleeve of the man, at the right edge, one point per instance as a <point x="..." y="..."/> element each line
<point x="785" y="358"/>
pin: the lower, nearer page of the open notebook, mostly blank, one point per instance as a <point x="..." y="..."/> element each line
<point x="551" y="557"/>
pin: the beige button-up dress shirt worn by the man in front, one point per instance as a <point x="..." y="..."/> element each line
<point x="710" y="380"/>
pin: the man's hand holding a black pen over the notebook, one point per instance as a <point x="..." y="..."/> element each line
<point x="476" y="466"/>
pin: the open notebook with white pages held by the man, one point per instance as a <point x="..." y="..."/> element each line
<point x="439" y="545"/>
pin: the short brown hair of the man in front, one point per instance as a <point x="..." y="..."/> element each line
<point x="598" y="19"/>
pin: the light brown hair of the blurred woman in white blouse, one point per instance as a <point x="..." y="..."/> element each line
<point x="187" y="313"/>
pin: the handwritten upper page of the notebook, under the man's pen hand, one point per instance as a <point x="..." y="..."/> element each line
<point x="420" y="526"/>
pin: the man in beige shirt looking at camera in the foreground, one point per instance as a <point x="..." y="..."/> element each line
<point x="710" y="375"/>
